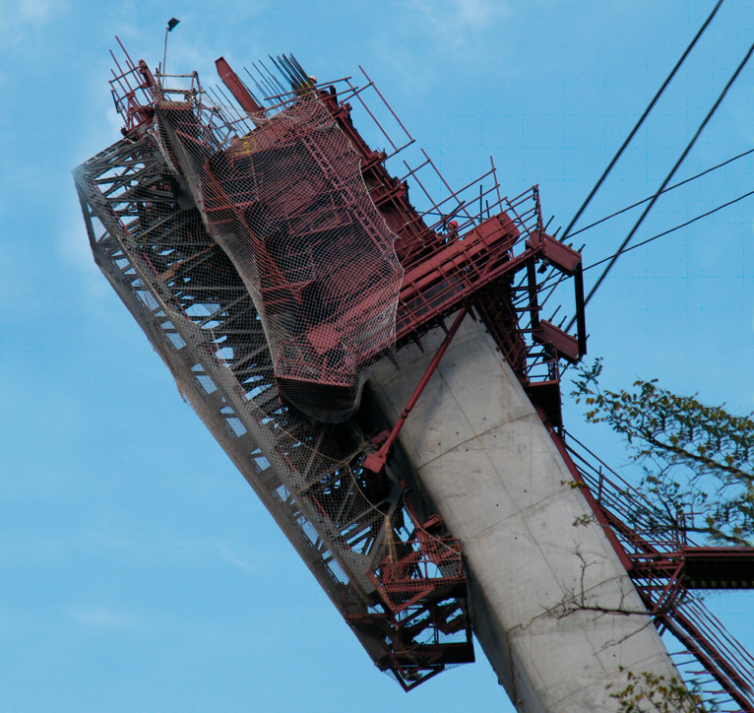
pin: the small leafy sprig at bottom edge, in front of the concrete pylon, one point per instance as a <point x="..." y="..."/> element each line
<point x="648" y="693"/>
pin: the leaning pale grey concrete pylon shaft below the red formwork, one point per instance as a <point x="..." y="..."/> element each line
<point x="552" y="606"/>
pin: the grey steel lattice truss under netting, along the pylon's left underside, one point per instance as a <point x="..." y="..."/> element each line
<point x="396" y="584"/>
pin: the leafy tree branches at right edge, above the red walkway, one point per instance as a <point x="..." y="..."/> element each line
<point x="695" y="459"/>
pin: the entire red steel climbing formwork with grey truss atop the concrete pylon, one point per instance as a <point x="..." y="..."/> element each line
<point x="188" y="230"/>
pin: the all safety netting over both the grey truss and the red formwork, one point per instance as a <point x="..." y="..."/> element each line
<point x="189" y="218"/>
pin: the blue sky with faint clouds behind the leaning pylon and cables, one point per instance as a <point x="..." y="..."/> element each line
<point x="137" y="569"/>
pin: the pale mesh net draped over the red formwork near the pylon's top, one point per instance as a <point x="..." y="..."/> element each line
<point x="289" y="206"/>
